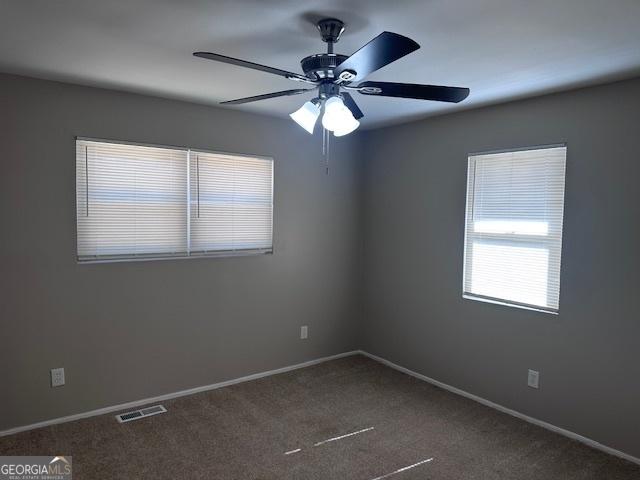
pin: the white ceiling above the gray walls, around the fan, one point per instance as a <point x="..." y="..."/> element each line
<point x="501" y="49"/>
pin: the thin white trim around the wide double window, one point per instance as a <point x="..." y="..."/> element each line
<point x="178" y="256"/>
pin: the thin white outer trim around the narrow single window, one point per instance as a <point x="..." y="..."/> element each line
<point x="502" y="301"/>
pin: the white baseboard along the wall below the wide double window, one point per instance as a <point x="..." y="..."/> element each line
<point x="168" y="396"/>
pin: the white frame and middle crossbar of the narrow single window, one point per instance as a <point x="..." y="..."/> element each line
<point x="513" y="238"/>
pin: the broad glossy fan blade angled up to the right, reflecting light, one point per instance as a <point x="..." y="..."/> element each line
<point x="382" y="50"/>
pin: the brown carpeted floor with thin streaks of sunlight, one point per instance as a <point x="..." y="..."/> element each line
<point x="402" y="428"/>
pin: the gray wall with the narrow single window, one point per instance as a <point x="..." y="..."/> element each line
<point x="588" y="355"/>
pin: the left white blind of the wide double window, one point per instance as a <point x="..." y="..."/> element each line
<point x="131" y="200"/>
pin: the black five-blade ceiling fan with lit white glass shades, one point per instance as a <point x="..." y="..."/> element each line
<point x="335" y="75"/>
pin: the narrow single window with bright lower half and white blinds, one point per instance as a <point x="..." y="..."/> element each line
<point x="513" y="235"/>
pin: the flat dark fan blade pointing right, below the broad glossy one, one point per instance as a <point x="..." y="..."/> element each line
<point x="412" y="90"/>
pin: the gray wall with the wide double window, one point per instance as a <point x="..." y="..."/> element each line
<point x="125" y="331"/>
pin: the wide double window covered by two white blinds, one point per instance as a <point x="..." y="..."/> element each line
<point x="136" y="201"/>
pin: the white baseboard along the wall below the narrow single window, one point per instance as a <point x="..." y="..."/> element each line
<point x="514" y="413"/>
